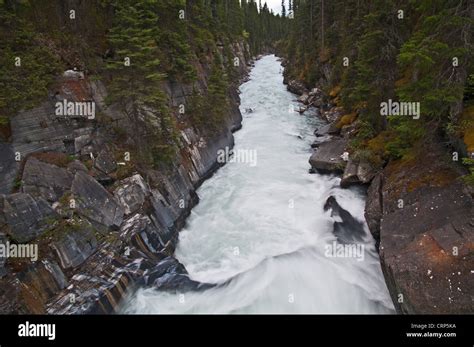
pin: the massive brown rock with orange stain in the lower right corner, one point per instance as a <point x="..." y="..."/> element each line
<point x="423" y="215"/>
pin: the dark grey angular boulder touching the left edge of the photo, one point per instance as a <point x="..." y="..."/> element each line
<point x="26" y="218"/>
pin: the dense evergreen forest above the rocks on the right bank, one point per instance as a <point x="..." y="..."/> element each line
<point x="407" y="59"/>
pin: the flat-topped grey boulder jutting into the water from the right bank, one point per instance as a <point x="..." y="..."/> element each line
<point x="327" y="158"/>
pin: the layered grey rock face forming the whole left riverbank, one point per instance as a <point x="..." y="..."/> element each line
<point x="100" y="225"/>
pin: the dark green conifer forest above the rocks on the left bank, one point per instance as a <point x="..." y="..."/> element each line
<point x="160" y="46"/>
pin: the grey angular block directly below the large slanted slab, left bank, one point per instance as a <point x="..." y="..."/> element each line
<point x="75" y="245"/>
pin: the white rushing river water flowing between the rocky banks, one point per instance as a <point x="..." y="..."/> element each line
<point x="263" y="229"/>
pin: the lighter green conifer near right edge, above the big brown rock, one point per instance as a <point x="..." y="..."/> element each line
<point x="428" y="56"/>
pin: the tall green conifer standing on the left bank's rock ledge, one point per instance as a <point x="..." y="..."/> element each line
<point x="137" y="85"/>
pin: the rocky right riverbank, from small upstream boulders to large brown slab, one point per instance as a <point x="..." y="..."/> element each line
<point x="419" y="211"/>
